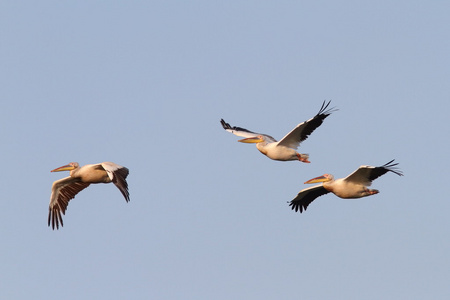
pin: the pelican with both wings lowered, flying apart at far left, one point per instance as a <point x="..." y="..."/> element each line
<point x="65" y="189"/>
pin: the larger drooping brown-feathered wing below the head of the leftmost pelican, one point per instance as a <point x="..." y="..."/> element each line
<point x="63" y="191"/>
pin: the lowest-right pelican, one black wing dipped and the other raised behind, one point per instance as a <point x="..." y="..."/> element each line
<point x="351" y="187"/>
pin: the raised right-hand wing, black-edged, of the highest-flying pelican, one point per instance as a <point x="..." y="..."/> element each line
<point x="303" y="130"/>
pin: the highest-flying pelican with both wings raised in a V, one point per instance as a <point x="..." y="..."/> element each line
<point x="284" y="149"/>
